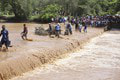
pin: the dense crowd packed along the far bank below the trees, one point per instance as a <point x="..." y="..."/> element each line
<point x="94" y="21"/>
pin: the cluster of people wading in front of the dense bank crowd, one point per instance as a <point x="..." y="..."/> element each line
<point x="56" y="30"/>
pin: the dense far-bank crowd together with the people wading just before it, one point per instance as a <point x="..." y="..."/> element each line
<point x="81" y="23"/>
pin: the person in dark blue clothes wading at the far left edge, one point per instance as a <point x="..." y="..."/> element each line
<point x="5" y="38"/>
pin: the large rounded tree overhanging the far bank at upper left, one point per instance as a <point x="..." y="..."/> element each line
<point x="21" y="8"/>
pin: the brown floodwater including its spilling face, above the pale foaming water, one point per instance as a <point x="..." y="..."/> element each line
<point x="27" y="55"/>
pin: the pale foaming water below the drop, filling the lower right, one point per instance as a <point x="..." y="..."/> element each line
<point x="98" y="60"/>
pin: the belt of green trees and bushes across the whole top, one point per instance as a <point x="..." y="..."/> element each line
<point x="24" y="9"/>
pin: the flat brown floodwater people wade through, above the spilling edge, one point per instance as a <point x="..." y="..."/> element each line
<point x="22" y="48"/>
